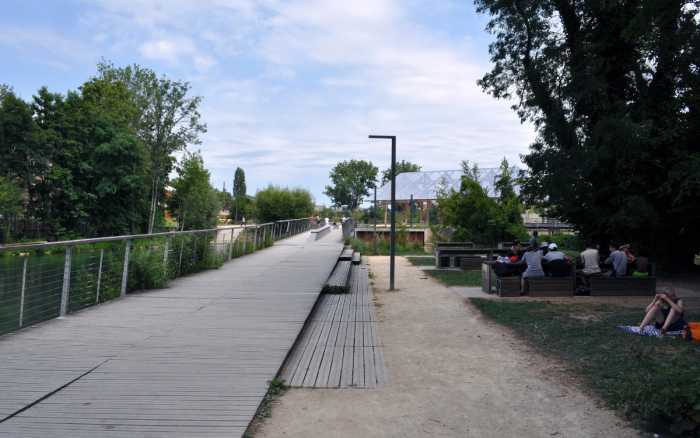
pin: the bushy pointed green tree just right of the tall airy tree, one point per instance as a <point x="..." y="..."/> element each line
<point x="194" y="201"/>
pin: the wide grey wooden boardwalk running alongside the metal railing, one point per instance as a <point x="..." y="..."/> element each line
<point x="192" y="360"/>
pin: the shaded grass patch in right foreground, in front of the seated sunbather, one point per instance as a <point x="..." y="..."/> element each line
<point x="653" y="381"/>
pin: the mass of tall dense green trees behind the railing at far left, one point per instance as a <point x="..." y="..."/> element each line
<point x="95" y="161"/>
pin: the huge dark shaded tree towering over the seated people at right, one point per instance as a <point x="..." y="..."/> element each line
<point x="613" y="89"/>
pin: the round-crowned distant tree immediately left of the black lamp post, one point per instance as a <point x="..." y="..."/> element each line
<point x="352" y="181"/>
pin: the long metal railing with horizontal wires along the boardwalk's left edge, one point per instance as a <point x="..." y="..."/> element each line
<point x="48" y="280"/>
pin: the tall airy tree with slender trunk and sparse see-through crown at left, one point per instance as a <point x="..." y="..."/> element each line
<point x="167" y="120"/>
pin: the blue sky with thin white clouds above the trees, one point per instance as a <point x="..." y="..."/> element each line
<point x="289" y="88"/>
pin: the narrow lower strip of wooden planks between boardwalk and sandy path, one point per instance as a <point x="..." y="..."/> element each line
<point x="338" y="348"/>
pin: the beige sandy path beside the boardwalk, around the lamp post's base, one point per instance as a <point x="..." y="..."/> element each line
<point x="451" y="374"/>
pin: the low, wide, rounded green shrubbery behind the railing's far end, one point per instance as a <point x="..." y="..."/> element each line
<point x="276" y="203"/>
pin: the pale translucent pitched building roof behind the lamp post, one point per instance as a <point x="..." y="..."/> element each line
<point x="425" y="185"/>
